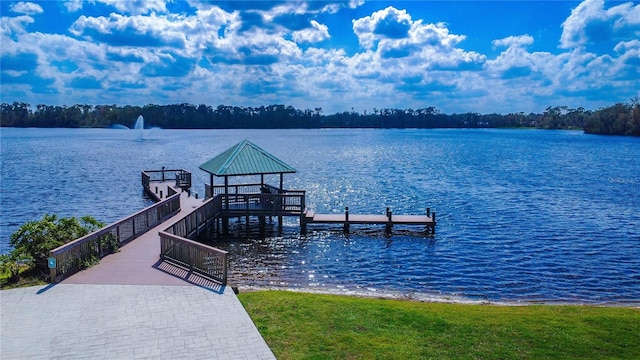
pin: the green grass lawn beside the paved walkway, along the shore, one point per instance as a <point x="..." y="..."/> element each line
<point x="312" y="326"/>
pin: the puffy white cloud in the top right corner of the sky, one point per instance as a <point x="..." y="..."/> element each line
<point x="590" y="23"/>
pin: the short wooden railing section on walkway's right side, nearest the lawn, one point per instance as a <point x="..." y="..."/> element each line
<point x="198" y="258"/>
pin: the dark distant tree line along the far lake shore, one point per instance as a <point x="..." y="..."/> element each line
<point x="619" y="119"/>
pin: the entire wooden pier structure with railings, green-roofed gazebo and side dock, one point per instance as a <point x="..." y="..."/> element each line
<point x="181" y="217"/>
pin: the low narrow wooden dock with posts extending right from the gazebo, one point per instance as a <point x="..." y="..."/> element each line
<point x="388" y="219"/>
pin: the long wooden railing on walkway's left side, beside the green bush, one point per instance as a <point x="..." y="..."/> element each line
<point x="77" y="254"/>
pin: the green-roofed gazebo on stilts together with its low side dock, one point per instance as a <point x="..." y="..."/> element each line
<point x="262" y="200"/>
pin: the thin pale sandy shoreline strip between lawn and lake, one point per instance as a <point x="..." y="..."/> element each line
<point x="429" y="298"/>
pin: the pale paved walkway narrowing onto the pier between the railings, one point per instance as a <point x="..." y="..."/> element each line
<point x="129" y="306"/>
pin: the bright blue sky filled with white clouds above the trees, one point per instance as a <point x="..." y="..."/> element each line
<point x="459" y="56"/>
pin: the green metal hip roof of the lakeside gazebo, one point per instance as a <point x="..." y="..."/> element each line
<point x="245" y="158"/>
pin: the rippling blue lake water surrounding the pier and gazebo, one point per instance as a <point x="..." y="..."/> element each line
<point x="523" y="215"/>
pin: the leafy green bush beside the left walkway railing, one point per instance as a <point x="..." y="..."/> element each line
<point x="34" y="239"/>
